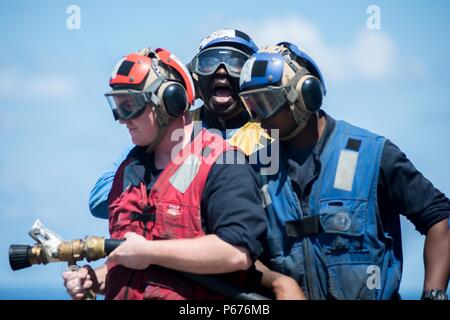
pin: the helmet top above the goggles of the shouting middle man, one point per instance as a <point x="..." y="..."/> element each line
<point x="229" y="38"/>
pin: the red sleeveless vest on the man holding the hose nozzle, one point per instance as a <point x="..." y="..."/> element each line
<point x="171" y="210"/>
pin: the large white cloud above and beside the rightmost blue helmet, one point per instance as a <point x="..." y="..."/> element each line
<point x="371" y="55"/>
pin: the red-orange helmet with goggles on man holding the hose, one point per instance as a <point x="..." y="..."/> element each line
<point x="157" y="77"/>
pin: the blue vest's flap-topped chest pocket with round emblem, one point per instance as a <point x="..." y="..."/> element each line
<point x="343" y="222"/>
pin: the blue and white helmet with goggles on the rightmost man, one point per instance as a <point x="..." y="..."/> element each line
<point x="279" y="76"/>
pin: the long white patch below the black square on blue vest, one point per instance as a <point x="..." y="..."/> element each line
<point x="345" y="172"/>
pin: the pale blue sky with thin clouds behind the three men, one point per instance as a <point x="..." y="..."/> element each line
<point x="57" y="134"/>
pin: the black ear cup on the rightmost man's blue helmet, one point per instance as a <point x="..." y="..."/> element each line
<point x="310" y="93"/>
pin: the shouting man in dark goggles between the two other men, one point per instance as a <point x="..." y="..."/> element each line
<point x="216" y="69"/>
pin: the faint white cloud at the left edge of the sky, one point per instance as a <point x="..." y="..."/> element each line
<point x="17" y="84"/>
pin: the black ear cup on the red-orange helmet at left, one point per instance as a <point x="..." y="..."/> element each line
<point x="173" y="99"/>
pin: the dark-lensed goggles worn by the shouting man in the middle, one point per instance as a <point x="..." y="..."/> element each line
<point x="207" y="61"/>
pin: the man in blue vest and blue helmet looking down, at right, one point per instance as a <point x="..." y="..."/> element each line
<point x="333" y="205"/>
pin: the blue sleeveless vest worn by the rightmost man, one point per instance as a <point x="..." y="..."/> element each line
<point x="339" y="250"/>
